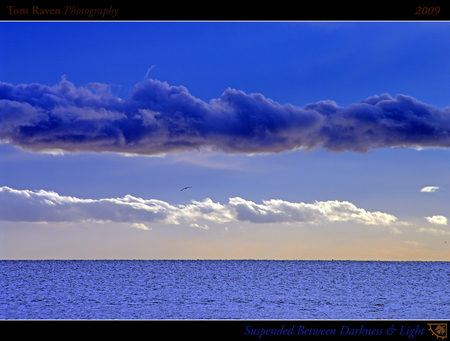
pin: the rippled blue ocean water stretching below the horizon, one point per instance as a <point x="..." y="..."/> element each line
<point x="224" y="289"/>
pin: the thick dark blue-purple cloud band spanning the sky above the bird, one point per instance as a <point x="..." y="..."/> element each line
<point x="158" y="118"/>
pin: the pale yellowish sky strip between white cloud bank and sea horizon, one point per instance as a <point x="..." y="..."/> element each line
<point x="338" y="241"/>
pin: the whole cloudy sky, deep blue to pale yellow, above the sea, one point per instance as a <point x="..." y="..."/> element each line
<point x="301" y="140"/>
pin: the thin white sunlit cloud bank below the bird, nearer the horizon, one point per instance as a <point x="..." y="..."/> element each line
<point x="48" y="206"/>
